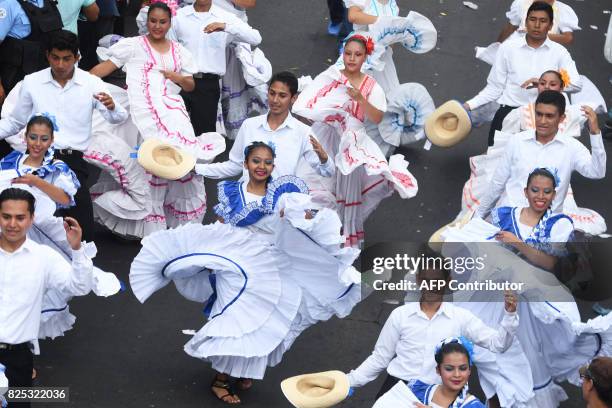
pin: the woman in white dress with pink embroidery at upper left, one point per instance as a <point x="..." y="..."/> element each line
<point x="157" y="70"/>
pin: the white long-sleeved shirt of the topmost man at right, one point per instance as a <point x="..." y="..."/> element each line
<point x="515" y="63"/>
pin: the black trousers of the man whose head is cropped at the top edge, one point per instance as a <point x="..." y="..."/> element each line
<point x="202" y="103"/>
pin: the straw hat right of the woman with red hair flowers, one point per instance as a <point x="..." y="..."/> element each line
<point x="448" y="125"/>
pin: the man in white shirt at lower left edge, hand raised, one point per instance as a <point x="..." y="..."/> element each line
<point x="27" y="270"/>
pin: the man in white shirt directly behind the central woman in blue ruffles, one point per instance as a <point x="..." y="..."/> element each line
<point x="290" y="138"/>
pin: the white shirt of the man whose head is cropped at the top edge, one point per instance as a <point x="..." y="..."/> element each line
<point x="209" y="49"/>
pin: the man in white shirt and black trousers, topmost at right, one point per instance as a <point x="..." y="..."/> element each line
<point x="520" y="59"/>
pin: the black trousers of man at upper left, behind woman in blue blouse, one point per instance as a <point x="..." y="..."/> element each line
<point x="83" y="210"/>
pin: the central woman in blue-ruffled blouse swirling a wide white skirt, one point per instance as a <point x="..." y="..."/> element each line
<point x="267" y="271"/>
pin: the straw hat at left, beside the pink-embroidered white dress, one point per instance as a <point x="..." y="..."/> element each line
<point x="164" y="160"/>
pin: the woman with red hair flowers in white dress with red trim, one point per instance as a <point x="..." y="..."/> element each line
<point x="340" y="102"/>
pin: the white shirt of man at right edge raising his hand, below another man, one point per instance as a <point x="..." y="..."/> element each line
<point x="524" y="153"/>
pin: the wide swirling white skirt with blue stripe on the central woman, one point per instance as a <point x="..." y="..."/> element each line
<point x="259" y="297"/>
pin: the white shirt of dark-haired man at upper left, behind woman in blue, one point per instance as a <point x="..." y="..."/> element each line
<point x="72" y="106"/>
